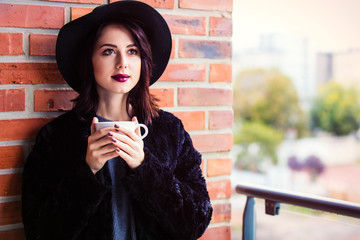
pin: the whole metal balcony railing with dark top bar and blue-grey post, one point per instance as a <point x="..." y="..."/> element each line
<point x="273" y="197"/>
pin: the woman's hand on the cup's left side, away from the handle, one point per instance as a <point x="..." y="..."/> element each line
<point x="100" y="148"/>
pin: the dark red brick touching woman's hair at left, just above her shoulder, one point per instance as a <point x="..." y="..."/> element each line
<point x="54" y="100"/>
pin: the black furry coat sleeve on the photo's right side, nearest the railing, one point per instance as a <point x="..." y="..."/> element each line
<point x="173" y="190"/>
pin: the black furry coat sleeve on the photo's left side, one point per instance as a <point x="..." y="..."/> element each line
<point x="57" y="198"/>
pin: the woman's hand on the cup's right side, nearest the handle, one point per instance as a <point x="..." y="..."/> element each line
<point x="129" y="145"/>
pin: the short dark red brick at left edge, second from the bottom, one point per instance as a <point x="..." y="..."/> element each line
<point x="10" y="213"/>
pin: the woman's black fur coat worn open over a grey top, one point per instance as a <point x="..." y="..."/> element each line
<point x="63" y="199"/>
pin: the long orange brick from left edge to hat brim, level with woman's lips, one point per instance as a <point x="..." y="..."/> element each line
<point x="29" y="73"/>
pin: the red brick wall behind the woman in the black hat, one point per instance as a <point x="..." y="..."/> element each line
<point x="196" y="87"/>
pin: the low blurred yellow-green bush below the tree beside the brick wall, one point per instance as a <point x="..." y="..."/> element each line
<point x="266" y="139"/>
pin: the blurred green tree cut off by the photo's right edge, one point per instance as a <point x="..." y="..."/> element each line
<point x="336" y="110"/>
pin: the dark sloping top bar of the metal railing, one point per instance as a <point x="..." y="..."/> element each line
<point x="304" y="200"/>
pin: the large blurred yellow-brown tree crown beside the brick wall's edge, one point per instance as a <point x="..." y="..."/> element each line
<point x="269" y="97"/>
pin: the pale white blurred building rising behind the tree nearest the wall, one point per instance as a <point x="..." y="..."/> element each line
<point x="289" y="54"/>
